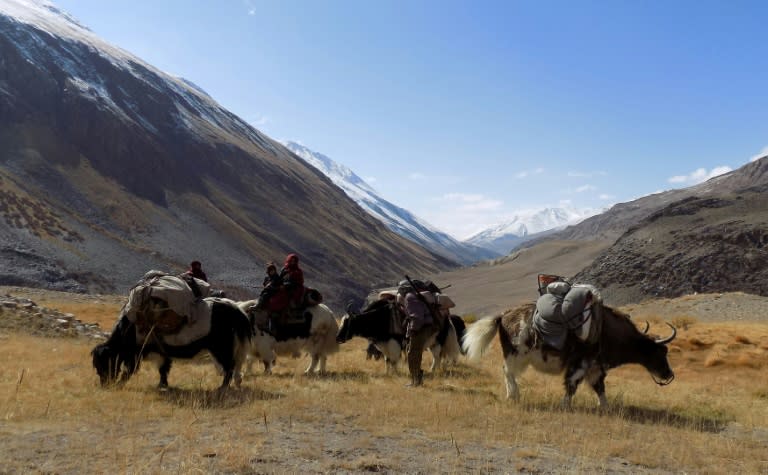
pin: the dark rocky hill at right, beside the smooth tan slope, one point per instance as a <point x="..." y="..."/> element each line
<point x="713" y="239"/>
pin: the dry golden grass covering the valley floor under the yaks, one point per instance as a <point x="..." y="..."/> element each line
<point x="55" y="418"/>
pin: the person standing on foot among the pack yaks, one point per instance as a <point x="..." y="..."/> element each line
<point x="420" y="326"/>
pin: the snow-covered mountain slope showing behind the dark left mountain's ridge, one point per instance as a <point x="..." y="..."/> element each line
<point x="397" y="219"/>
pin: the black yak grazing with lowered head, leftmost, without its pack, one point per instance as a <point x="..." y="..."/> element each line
<point x="228" y="341"/>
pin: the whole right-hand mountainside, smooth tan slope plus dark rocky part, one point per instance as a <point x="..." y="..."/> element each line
<point x="707" y="238"/>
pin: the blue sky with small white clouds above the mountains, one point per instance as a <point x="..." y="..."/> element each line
<point x="468" y="112"/>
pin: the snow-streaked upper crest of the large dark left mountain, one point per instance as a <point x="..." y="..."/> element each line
<point x="194" y="106"/>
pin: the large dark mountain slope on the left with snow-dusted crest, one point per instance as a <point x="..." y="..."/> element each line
<point x="110" y="167"/>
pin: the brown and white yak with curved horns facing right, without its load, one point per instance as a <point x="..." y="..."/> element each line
<point x="619" y="342"/>
